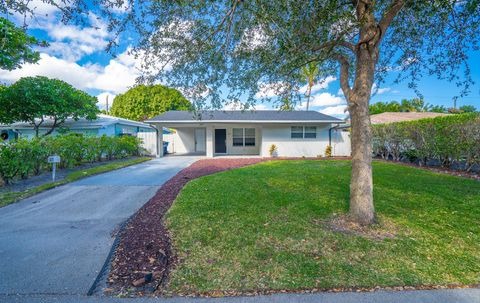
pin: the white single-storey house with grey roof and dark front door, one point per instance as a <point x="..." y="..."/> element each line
<point x="211" y="133"/>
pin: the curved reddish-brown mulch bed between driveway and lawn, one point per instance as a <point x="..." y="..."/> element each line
<point x="144" y="250"/>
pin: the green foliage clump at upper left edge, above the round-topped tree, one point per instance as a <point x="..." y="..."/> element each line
<point x="16" y="46"/>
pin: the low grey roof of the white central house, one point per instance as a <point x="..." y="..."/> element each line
<point x="266" y="116"/>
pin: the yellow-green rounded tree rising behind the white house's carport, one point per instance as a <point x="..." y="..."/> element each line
<point x="146" y="101"/>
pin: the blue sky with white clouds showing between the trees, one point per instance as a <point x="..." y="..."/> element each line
<point x="76" y="55"/>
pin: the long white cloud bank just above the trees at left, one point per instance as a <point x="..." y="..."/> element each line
<point x="116" y="77"/>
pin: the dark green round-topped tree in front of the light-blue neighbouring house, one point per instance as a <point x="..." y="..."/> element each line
<point x="32" y="99"/>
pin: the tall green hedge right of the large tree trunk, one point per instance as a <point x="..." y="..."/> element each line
<point x="450" y="141"/>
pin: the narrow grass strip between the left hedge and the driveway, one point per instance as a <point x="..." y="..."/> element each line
<point x="11" y="197"/>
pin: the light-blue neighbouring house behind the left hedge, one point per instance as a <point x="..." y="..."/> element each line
<point x="103" y="125"/>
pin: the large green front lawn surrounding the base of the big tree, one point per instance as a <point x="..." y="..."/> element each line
<point x="262" y="227"/>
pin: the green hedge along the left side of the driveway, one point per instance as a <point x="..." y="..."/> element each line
<point x="22" y="158"/>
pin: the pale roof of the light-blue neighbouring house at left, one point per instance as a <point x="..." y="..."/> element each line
<point x="82" y="123"/>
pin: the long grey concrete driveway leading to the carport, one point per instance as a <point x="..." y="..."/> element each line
<point x="56" y="242"/>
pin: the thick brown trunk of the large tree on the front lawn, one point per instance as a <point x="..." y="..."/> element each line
<point x="361" y="184"/>
